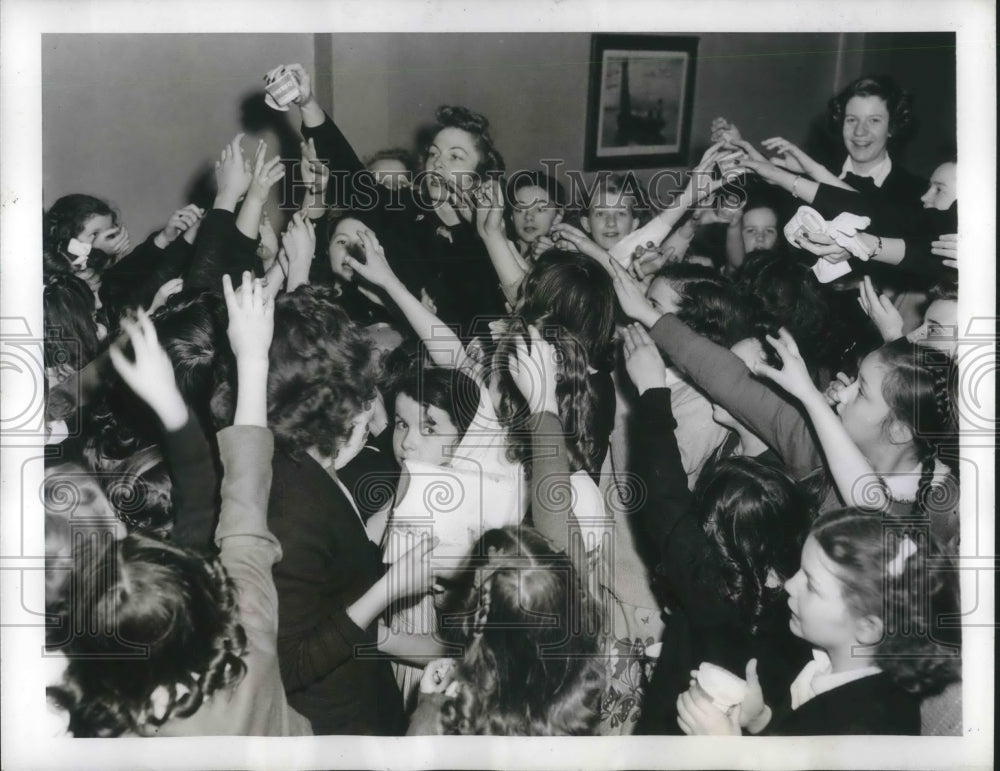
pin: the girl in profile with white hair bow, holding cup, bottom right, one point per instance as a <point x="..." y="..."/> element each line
<point x="869" y="600"/>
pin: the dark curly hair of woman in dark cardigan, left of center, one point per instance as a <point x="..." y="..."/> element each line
<point x="322" y="374"/>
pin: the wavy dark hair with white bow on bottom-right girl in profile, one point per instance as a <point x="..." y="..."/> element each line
<point x="911" y="598"/>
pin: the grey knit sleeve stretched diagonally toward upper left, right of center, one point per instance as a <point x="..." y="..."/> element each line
<point x="726" y="380"/>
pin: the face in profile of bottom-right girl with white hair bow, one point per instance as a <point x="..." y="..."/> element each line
<point x="815" y="596"/>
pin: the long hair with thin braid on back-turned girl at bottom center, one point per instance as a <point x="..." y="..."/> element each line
<point x="532" y="664"/>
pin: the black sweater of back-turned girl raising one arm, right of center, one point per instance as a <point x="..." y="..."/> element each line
<point x="703" y="624"/>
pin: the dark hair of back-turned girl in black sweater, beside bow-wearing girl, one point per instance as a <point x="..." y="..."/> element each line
<point x="757" y="519"/>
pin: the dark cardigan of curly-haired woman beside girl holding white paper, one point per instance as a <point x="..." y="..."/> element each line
<point x="330" y="668"/>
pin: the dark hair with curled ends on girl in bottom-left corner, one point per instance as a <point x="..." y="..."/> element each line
<point x="148" y="615"/>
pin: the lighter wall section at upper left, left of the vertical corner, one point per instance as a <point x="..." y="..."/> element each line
<point x="137" y="119"/>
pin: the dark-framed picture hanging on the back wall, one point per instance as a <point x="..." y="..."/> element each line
<point x="639" y="103"/>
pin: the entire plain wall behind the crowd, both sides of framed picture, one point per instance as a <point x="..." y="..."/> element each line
<point x="137" y="118"/>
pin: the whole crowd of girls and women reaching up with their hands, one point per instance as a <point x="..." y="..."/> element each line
<point x="450" y="452"/>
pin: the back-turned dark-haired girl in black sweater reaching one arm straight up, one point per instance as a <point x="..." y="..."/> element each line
<point x="723" y="553"/>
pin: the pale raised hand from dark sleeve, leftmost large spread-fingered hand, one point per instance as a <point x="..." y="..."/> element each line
<point x="151" y="374"/>
